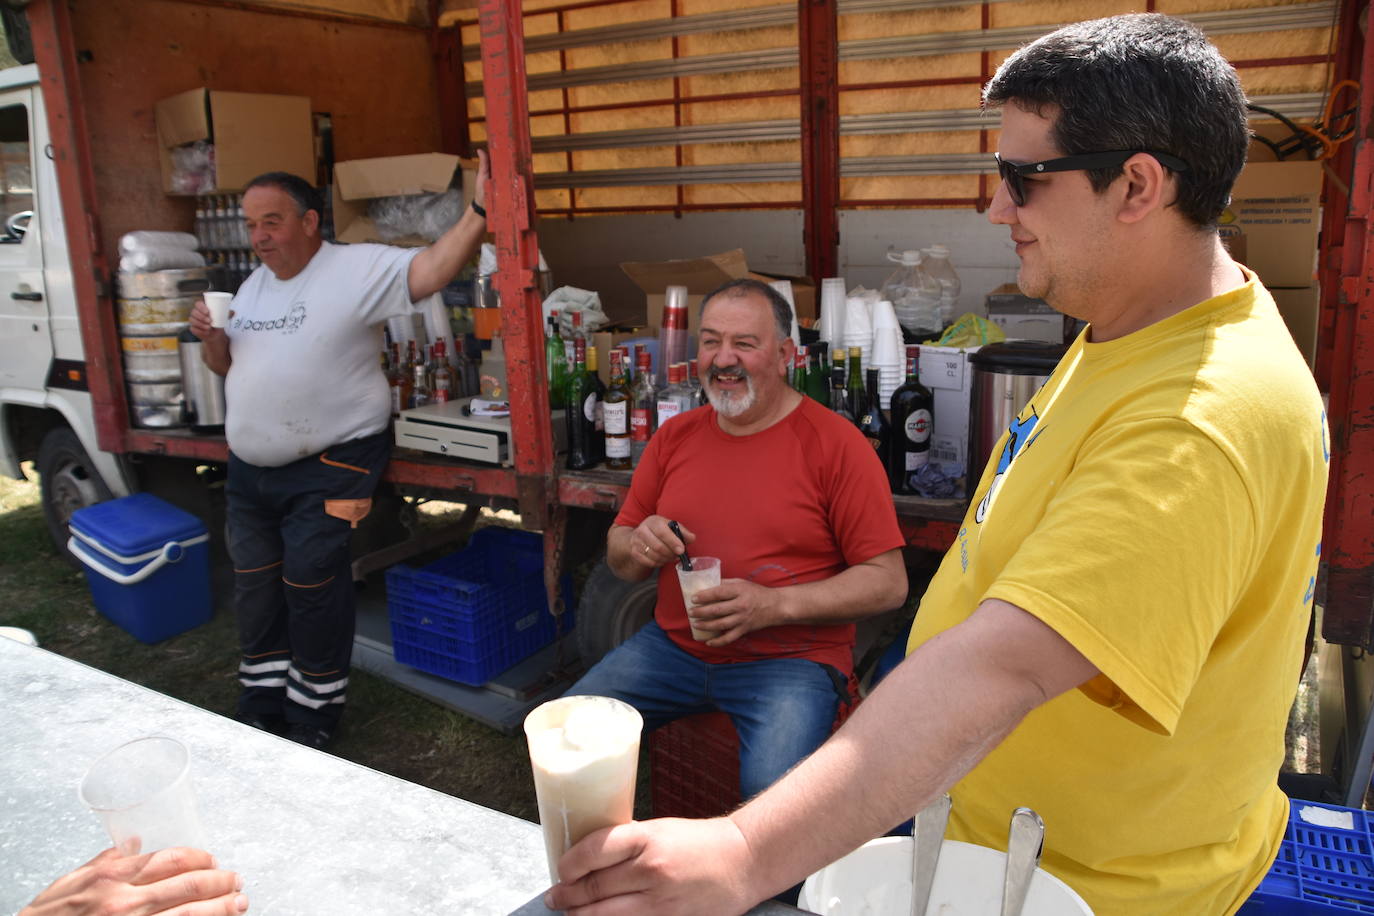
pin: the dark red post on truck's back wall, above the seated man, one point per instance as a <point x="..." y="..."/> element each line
<point x="818" y="35"/>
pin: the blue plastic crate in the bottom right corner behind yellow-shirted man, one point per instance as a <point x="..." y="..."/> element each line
<point x="1320" y="870"/>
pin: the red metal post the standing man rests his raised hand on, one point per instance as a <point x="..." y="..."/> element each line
<point x="512" y="220"/>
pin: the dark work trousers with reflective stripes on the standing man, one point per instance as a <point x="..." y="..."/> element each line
<point x="293" y="587"/>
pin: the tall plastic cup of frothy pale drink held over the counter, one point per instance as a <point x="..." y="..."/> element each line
<point x="585" y="753"/>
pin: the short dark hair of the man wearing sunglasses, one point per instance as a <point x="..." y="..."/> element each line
<point x="1142" y="82"/>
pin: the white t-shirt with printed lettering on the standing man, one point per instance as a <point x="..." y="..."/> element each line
<point x="306" y="373"/>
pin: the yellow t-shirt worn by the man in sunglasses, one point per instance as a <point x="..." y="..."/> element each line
<point x="1159" y="503"/>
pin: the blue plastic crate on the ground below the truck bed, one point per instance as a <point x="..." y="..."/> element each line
<point x="473" y="615"/>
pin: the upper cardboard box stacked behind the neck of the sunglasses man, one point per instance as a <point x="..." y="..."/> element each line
<point x="1277" y="207"/>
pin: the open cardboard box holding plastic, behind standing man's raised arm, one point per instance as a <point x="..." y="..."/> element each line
<point x="357" y="182"/>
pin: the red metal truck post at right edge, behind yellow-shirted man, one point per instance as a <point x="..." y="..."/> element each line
<point x="1349" y="538"/>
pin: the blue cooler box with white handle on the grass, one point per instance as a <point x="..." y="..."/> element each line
<point x="148" y="564"/>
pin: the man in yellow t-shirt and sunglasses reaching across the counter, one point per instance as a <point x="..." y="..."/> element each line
<point x="1116" y="637"/>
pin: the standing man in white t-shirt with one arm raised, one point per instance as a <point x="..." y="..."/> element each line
<point x="307" y="425"/>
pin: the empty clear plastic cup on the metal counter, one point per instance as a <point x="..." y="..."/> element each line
<point x="142" y="793"/>
